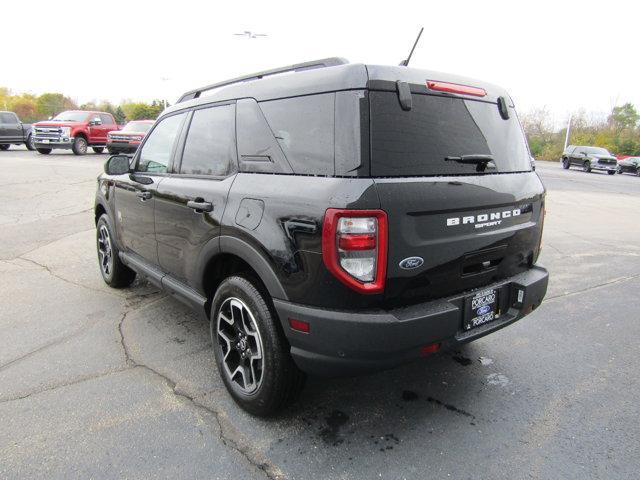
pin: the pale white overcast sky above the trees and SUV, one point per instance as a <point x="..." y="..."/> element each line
<point x="563" y="55"/>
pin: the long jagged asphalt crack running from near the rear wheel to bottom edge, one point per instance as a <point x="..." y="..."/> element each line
<point x="249" y="454"/>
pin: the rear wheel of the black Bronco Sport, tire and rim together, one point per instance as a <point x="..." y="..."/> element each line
<point x="279" y="381"/>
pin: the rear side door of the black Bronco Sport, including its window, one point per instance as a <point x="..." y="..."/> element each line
<point x="190" y="201"/>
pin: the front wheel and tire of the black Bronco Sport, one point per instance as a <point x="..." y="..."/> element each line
<point x="114" y="273"/>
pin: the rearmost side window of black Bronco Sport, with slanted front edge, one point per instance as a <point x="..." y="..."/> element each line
<point x="304" y="128"/>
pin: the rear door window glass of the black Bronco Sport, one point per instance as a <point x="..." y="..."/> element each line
<point x="210" y="146"/>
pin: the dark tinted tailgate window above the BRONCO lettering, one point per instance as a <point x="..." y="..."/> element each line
<point x="417" y="142"/>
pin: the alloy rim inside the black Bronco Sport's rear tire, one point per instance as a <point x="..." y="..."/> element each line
<point x="241" y="345"/>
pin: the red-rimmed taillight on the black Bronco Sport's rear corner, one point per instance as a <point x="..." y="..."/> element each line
<point x="354" y="248"/>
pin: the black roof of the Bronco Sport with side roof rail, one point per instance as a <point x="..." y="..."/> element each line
<point x="289" y="82"/>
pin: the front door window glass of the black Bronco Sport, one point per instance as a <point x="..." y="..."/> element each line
<point x="156" y="151"/>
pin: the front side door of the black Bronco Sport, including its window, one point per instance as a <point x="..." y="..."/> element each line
<point x="135" y="193"/>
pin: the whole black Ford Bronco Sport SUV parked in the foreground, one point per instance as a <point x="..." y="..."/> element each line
<point x="338" y="219"/>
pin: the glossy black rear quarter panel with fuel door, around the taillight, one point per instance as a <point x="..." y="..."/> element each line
<point x="288" y="233"/>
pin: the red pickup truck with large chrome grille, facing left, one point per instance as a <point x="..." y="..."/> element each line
<point x="76" y="130"/>
